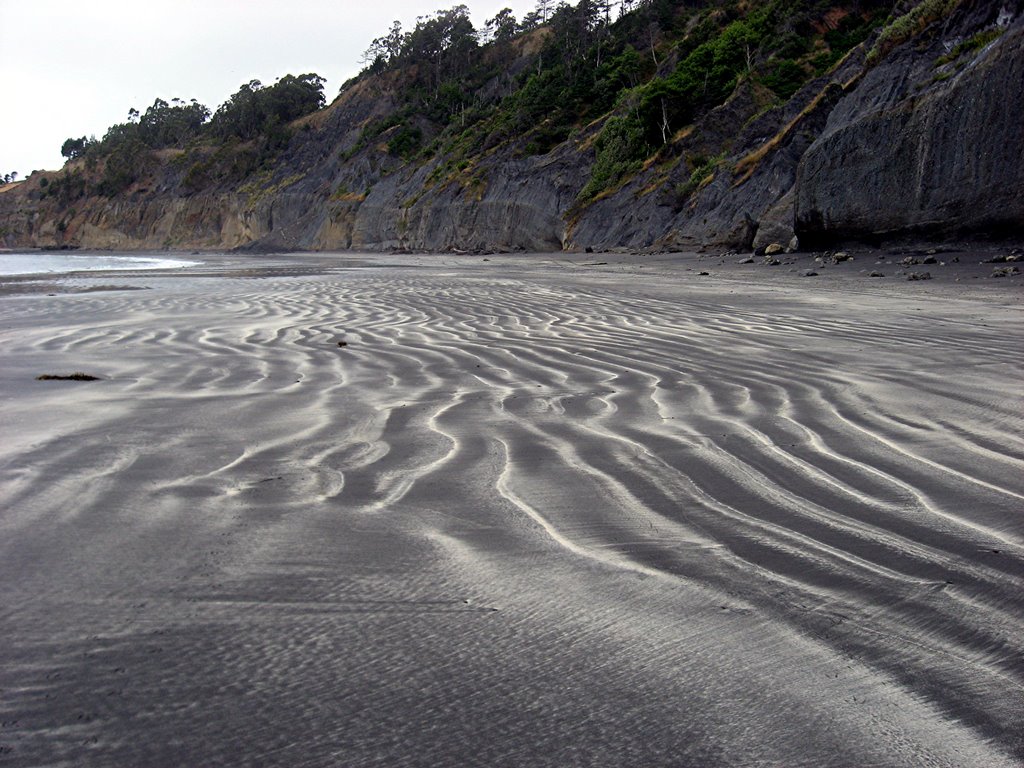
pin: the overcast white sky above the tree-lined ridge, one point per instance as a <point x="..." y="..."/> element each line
<point x="74" y="69"/>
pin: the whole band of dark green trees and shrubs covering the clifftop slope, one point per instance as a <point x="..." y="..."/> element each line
<point x="628" y="79"/>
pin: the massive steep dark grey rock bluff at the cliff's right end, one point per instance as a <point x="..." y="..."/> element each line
<point x="924" y="145"/>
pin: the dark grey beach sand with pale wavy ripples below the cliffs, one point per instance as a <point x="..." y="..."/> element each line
<point x="530" y="514"/>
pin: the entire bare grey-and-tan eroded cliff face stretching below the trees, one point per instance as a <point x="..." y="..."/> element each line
<point x="926" y="141"/>
